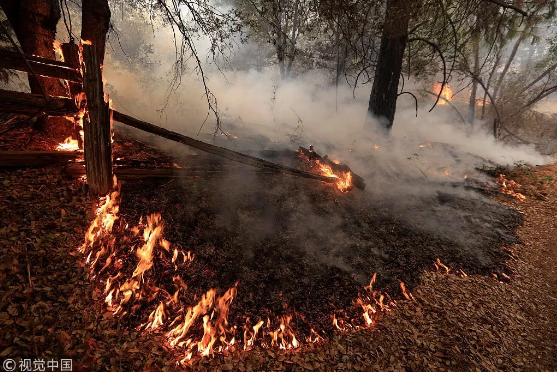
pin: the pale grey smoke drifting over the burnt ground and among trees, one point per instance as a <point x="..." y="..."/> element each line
<point x="412" y="177"/>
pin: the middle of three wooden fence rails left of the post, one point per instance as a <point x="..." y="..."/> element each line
<point x="31" y="104"/>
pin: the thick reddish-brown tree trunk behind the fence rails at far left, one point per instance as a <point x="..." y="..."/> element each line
<point x="34" y="23"/>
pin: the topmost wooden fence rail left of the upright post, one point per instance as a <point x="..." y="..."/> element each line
<point x="42" y="66"/>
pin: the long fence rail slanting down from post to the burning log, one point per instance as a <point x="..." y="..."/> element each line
<point x="216" y="150"/>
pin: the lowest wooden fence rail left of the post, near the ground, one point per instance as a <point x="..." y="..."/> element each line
<point x="36" y="158"/>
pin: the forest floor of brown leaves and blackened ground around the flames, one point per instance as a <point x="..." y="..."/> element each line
<point x="300" y="243"/>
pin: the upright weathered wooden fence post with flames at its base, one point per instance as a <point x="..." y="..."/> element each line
<point x="96" y="126"/>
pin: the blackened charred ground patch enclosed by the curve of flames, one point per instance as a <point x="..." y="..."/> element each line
<point x="304" y="248"/>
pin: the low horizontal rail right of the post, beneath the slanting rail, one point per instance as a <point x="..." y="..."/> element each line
<point x="75" y="170"/>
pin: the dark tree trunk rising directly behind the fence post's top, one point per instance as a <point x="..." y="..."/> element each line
<point x="95" y="24"/>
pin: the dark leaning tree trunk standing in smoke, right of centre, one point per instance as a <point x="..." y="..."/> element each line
<point x="384" y="93"/>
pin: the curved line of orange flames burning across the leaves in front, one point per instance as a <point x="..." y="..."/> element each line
<point x="127" y="291"/>
